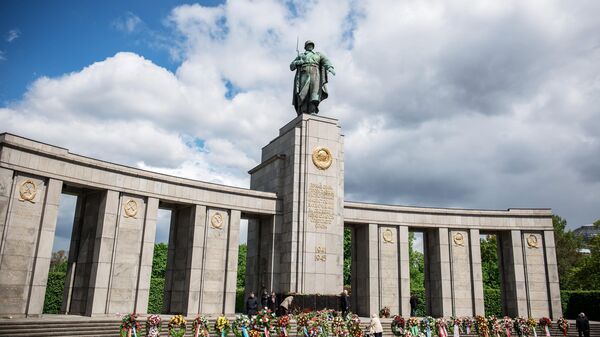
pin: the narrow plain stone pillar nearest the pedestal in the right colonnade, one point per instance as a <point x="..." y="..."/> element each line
<point x="365" y="288"/>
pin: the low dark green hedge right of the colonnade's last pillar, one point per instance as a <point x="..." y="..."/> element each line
<point x="574" y="302"/>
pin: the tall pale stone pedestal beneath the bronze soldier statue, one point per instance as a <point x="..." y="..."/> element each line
<point x="304" y="166"/>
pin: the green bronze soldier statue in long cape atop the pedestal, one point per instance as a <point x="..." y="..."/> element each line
<point x="310" y="80"/>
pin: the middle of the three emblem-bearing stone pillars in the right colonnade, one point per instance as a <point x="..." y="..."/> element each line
<point x="461" y="274"/>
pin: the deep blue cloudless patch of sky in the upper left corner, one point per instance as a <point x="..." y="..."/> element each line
<point x="58" y="37"/>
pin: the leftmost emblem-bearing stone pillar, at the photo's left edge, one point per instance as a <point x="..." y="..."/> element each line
<point x="30" y="206"/>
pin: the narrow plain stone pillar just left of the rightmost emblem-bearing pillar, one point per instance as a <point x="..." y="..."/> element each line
<point x="514" y="292"/>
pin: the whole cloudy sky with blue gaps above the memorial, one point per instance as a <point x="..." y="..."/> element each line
<point x="486" y="104"/>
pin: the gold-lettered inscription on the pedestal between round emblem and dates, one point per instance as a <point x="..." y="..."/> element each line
<point x="320" y="205"/>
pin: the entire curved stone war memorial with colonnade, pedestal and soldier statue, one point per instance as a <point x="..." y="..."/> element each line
<point x="296" y="212"/>
